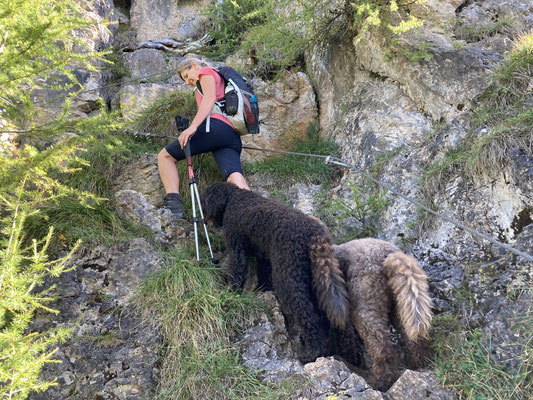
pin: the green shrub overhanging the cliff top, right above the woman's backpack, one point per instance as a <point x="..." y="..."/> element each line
<point x="275" y="35"/>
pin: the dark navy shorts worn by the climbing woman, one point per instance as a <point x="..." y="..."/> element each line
<point x="222" y="140"/>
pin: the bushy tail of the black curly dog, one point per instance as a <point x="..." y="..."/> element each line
<point x="328" y="281"/>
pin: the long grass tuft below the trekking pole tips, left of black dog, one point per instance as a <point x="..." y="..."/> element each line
<point x="199" y="317"/>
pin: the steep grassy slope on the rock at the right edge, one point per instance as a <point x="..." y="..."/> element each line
<point x="502" y="121"/>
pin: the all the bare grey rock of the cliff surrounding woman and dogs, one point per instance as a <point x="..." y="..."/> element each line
<point x="400" y="114"/>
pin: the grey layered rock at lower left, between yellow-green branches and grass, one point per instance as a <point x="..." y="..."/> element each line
<point x="112" y="352"/>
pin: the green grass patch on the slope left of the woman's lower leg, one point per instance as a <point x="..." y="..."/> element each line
<point x="92" y="218"/>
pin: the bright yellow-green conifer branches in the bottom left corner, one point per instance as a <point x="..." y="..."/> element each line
<point x="24" y="270"/>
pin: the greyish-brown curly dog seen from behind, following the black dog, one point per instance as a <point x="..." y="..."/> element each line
<point x="383" y="281"/>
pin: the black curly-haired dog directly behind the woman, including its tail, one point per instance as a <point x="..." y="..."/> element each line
<point x="293" y="251"/>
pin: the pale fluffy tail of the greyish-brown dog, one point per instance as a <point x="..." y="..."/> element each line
<point x="409" y="284"/>
